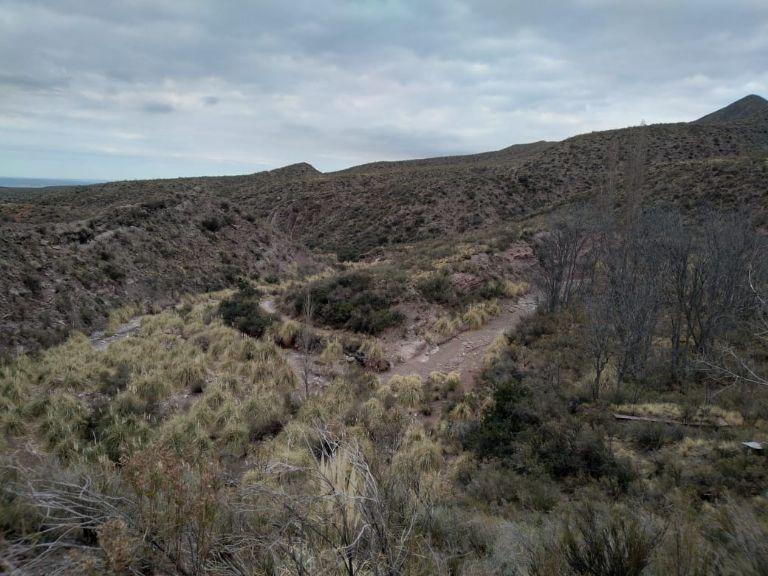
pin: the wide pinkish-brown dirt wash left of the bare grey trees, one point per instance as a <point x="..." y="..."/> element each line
<point x="464" y="352"/>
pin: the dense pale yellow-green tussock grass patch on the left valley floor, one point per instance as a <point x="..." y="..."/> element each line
<point x="187" y="380"/>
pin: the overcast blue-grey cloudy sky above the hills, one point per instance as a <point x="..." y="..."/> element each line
<point x="105" y="89"/>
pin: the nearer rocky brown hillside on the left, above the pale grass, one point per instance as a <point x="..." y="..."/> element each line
<point x="67" y="275"/>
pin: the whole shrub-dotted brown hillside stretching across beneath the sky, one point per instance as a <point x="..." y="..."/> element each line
<point x="74" y="252"/>
